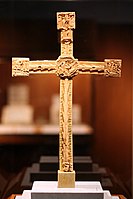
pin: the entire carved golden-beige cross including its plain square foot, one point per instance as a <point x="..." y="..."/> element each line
<point x="66" y="67"/>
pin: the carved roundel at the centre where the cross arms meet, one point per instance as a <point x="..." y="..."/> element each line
<point x="67" y="67"/>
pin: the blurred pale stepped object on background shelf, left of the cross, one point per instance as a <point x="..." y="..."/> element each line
<point x="17" y="110"/>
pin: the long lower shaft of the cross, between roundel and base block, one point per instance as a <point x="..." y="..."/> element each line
<point x="66" y="163"/>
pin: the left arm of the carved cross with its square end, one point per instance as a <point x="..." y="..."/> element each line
<point x="24" y="67"/>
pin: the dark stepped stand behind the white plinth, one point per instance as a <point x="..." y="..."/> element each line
<point x="86" y="170"/>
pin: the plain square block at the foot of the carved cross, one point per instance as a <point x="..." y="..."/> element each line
<point x="66" y="179"/>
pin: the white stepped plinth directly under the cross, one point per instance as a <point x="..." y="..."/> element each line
<point x="49" y="190"/>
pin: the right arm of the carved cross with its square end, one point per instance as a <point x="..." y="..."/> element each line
<point x="110" y="67"/>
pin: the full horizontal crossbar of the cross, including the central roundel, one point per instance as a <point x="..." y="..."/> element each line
<point x="66" y="67"/>
